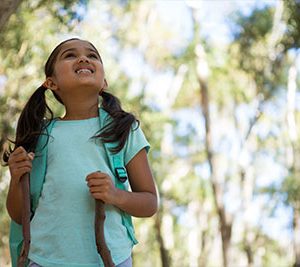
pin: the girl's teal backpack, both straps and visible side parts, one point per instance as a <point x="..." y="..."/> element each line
<point x="37" y="177"/>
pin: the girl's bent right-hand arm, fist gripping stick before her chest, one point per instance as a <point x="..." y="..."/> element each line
<point x="142" y="201"/>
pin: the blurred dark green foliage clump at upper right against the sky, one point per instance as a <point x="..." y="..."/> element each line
<point x="253" y="43"/>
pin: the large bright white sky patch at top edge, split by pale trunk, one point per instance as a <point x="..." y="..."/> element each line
<point x="213" y="15"/>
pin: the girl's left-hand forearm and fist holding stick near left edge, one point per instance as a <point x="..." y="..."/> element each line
<point x="19" y="163"/>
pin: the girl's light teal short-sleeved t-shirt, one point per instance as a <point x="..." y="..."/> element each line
<point x="62" y="229"/>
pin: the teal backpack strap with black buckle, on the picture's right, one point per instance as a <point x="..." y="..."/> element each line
<point x="117" y="165"/>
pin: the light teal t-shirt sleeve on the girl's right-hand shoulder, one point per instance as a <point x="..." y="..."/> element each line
<point x="136" y="141"/>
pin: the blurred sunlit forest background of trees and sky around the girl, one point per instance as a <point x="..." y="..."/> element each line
<point x="215" y="85"/>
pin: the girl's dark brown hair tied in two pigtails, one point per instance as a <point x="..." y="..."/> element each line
<point x="37" y="115"/>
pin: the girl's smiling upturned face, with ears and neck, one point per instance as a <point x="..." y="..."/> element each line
<point x="78" y="78"/>
